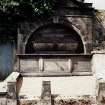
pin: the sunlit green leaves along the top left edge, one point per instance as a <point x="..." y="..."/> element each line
<point x="25" y="7"/>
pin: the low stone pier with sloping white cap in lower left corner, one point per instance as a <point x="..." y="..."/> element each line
<point x="8" y="90"/>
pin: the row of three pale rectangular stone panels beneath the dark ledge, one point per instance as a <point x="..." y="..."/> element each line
<point x="56" y="65"/>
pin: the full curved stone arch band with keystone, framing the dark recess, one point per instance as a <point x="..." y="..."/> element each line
<point x="60" y="21"/>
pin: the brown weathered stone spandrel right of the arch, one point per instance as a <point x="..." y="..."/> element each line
<point x="84" y="26"/>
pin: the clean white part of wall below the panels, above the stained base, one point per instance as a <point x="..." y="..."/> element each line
<point x="62" y="86"/>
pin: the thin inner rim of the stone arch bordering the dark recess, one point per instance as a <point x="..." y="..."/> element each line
<point x="62" y="24"/>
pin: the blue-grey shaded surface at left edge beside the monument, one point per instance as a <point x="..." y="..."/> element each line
<point x="6" y="59"/>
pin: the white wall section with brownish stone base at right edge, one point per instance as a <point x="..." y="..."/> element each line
<point x="98" y="68"/>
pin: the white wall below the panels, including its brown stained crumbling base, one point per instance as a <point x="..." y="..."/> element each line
<point x="64" y="90"/>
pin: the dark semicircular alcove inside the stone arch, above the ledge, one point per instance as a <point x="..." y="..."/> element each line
<point x="54" y="38"/>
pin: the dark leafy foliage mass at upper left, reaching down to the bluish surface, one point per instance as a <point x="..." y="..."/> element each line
<point x="14" y="11"/>
